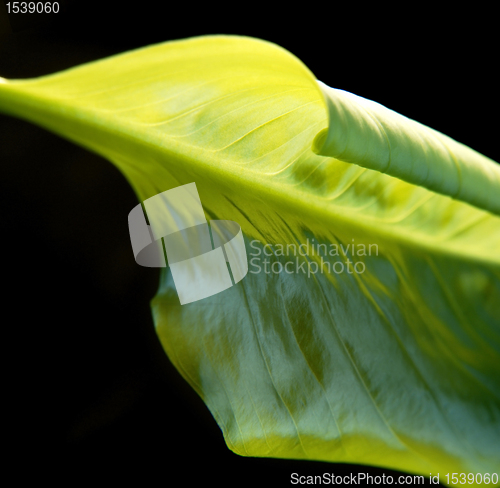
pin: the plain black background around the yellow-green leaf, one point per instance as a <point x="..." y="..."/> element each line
<point x="90" y="389"/>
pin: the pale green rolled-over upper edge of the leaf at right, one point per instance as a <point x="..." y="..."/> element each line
<point x="368" y="134"/>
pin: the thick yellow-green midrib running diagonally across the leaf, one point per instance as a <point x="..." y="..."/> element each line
<point x="16" y="100"/>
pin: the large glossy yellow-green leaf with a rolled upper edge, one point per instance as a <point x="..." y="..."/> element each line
<point x="397" y="365"/>
